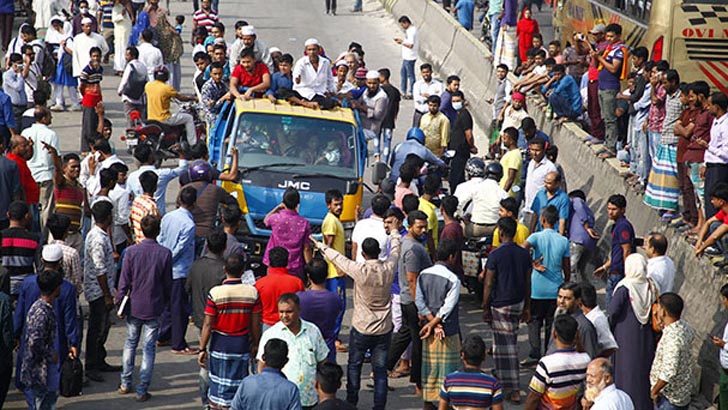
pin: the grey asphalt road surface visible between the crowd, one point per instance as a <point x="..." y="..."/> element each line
<point x="284" y="24"/>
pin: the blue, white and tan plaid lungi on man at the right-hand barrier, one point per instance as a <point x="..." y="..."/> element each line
<point x="663" y="187"/>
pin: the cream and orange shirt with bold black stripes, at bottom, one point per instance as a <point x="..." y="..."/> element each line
<point x="558" y="378"/>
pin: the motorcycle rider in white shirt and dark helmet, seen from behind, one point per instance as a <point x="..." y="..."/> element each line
<point x="486" y="199"/>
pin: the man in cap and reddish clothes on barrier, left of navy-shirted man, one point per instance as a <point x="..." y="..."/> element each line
<point x="583" y="47"/>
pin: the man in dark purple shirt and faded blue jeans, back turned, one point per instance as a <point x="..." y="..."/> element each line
<point x="146" y="280"/>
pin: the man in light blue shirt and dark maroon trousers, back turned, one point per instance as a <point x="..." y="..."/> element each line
<point x="178" y="235"/>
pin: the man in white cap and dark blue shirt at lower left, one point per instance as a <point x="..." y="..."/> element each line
<point x="68" y="337"/>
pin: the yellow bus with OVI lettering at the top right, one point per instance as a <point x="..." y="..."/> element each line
<point x="692" y="35"/>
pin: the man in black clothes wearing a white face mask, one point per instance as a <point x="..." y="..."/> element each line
<point x="461" y="139"/>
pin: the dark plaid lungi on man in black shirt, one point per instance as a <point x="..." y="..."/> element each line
<point x="505" y="339"/>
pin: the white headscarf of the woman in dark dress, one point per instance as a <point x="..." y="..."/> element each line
<point x="641" y="289"/>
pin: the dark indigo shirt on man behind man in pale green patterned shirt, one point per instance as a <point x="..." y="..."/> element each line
<point x="322" y="307"/>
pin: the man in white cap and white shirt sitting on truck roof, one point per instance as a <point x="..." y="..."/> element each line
<point x="312" y="77"/>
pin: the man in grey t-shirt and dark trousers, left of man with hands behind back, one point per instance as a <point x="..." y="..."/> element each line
<point x="414" y="260"/>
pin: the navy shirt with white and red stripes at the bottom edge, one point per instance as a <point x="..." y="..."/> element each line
<point x="471" y="388"/>
